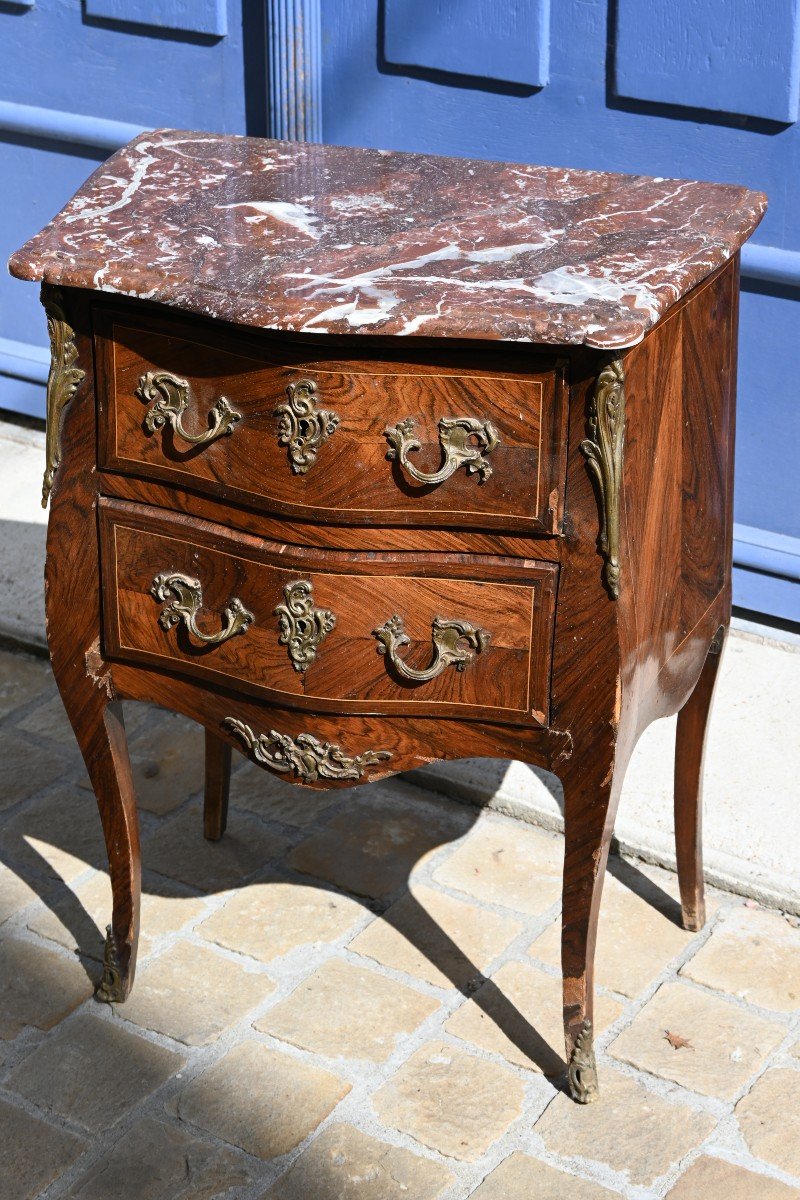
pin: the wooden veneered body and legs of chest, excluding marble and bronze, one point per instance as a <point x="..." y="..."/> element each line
<point x="570" y="677"/>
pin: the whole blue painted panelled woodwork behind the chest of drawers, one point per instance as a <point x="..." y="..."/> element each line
<point x="708" y="89"/>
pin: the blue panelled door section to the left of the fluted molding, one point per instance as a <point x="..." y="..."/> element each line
<point x="80" y="79"/>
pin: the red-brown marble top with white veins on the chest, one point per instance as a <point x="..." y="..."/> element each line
<point x="321" y="239"/>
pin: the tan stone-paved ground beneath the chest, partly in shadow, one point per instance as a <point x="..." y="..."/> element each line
<point x="356" y="997"/>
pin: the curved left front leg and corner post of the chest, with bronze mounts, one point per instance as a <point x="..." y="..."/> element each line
<point x="74" y="621"/>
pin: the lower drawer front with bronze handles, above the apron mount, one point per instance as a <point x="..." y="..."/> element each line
<point x="324" y="629"/>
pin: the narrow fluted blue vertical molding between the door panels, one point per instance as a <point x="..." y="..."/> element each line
<point x="296" y="70"/>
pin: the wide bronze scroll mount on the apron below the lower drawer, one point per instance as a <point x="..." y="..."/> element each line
<point x="305" y="757"/>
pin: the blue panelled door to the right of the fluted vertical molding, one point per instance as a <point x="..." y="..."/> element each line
<point x="707" y="89"/>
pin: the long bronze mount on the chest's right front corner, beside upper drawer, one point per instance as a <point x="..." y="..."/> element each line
<point x="604" y="452"/>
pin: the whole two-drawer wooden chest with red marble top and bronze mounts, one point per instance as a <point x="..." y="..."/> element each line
<point x="368" y="460"/>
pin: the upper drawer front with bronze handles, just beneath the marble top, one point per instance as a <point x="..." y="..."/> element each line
<point x="473" y="441"/>
